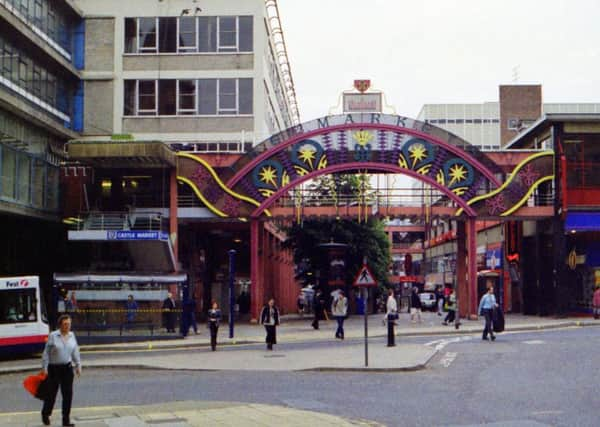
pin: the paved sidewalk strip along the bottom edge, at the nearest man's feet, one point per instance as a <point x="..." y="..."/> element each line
<point x="188" y="414"/>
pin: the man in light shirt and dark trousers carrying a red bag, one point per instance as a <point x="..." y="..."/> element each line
<point x="60" y="356"/>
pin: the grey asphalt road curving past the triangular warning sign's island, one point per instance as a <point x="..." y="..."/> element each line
<point x="522" y="379"/>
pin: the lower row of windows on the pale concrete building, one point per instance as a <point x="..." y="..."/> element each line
<point x="170" y="97"/>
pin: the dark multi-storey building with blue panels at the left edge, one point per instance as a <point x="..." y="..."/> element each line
<point x="41" y="62"/>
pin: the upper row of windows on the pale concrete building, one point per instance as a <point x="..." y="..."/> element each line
<point x="188" y="34"/>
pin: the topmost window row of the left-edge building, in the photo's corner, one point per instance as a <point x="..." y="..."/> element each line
<point x="47" y="17"/>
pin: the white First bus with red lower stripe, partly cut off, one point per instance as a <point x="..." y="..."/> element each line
<point x="22" y="328"/>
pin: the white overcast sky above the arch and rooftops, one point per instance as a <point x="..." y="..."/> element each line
<point x="441" y="51"/>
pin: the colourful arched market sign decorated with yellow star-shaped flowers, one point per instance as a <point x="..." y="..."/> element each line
<point x="365" y="142"/>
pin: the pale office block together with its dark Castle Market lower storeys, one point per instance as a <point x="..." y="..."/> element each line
<point x="162" y="77"/>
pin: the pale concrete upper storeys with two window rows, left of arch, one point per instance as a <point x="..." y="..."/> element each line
<point x="210" y="76"/>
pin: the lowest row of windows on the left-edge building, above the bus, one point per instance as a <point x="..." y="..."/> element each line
<point x="28" y="180"/>
